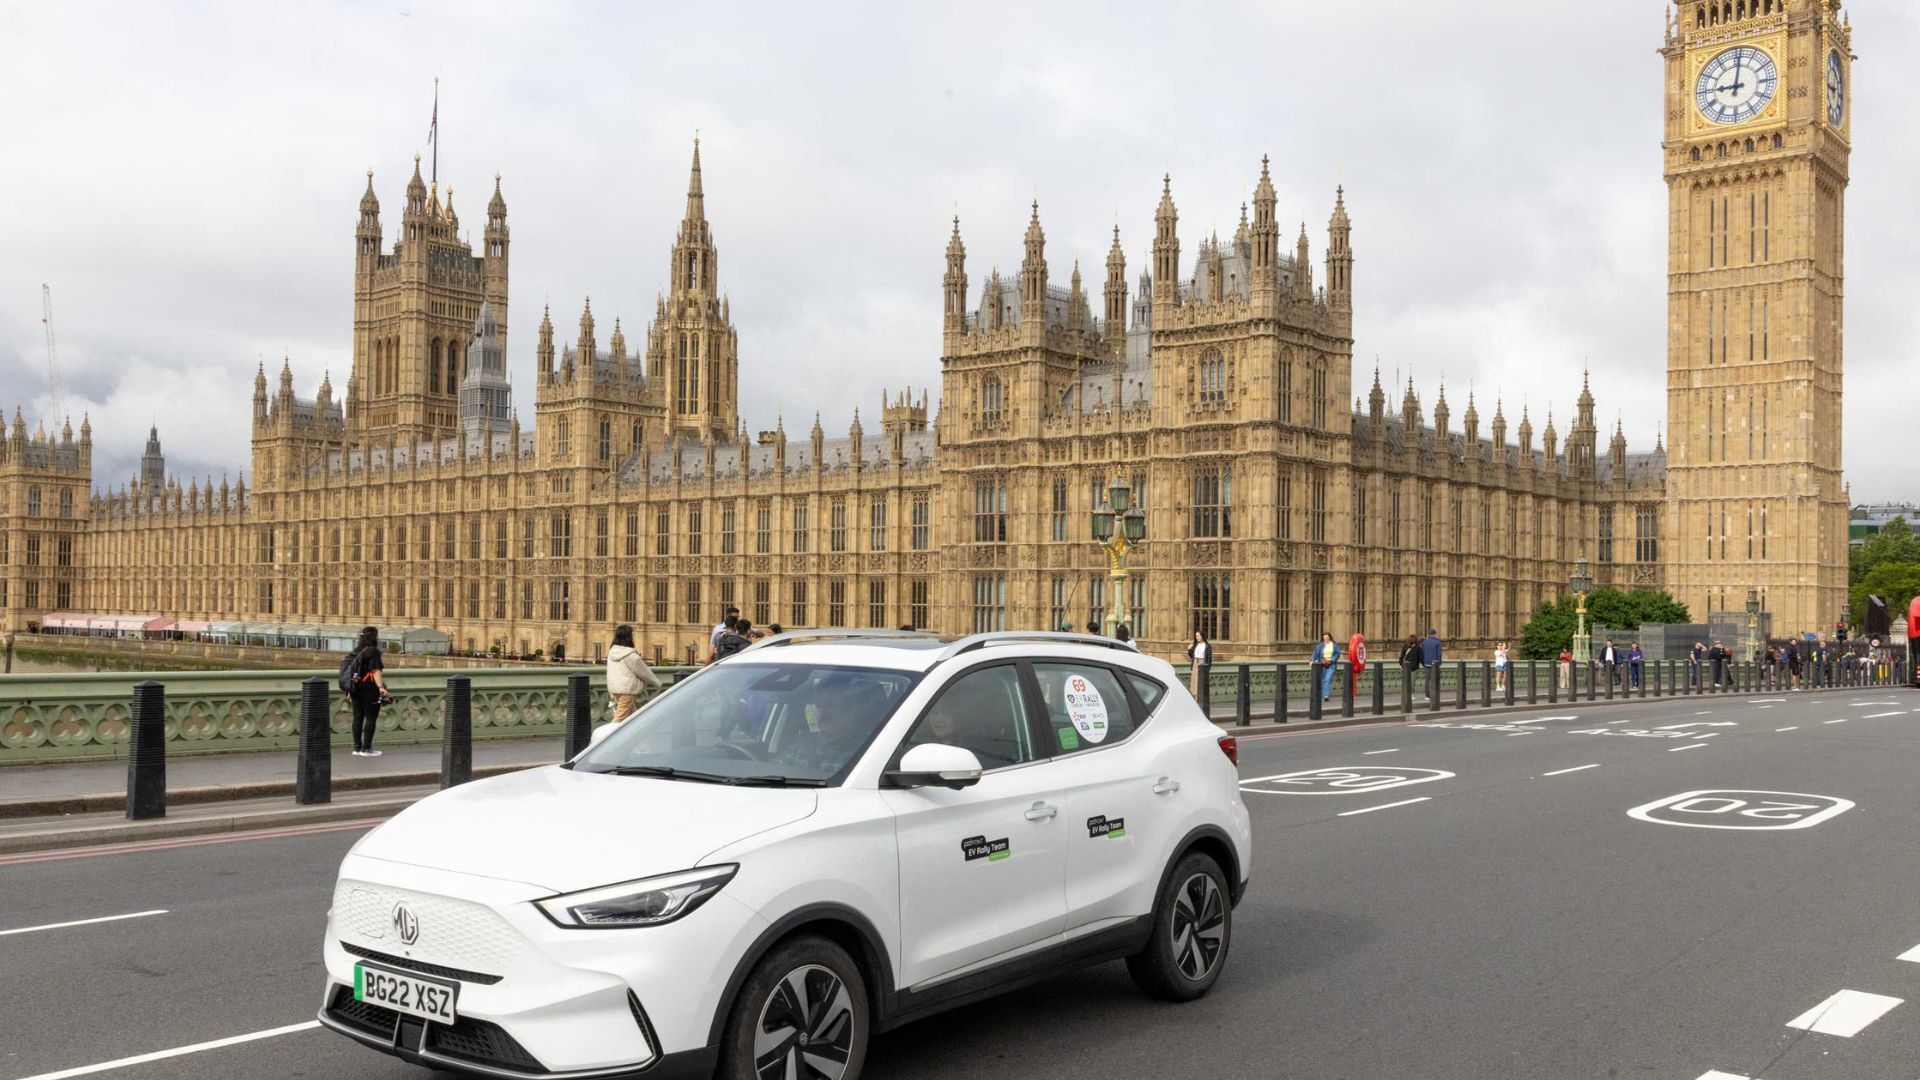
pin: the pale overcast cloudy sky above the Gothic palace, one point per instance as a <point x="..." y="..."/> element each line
<point x="187" y="180"/>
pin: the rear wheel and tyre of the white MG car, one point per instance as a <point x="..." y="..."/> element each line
<point x="1193" y="929"/>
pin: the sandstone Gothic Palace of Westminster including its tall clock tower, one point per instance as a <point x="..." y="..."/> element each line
<point x="1220" y="385"/>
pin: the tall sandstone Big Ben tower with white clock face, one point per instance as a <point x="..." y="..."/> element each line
<point x="1756" y="155"/>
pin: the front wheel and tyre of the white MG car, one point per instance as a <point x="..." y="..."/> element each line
<point x="804" y="979"/>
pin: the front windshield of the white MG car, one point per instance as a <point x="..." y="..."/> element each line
<point x="756" y="724"/>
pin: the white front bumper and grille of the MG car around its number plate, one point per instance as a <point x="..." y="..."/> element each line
<point x="535" y="1000"/>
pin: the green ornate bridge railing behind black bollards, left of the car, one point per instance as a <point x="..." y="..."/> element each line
<point x="84" y="718"/>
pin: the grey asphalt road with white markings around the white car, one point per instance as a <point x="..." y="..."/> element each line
<point x="1472" y="898"/>
